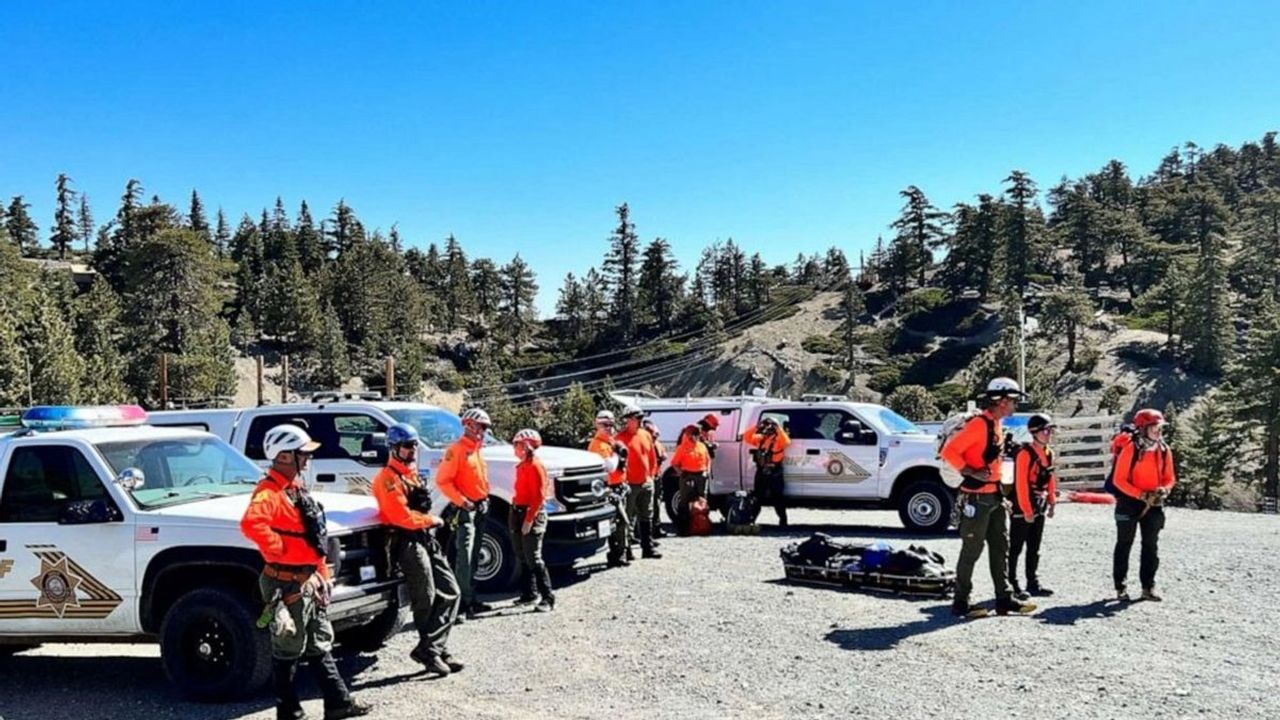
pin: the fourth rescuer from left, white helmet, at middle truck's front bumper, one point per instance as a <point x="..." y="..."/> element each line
<point x="528" y="521"/>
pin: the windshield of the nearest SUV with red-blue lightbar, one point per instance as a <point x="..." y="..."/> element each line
<point x="179" y="471"/>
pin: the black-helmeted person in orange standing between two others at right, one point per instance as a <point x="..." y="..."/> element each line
<point x="1035" y="500"/>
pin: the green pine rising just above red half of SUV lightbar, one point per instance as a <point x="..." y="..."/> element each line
<point x="98" y="340"/>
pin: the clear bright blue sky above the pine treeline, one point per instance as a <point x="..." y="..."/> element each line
<point x="520" y="126"/>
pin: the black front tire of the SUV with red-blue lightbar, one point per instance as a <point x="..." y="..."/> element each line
<point x="211" y="649"/>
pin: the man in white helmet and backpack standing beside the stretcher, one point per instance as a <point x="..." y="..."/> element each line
<point x="977" y="453"/>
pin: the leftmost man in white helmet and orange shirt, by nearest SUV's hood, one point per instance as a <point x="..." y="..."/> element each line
<point x="289" y="527"/>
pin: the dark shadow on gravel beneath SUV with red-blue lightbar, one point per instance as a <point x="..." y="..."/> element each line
<point x="127" y="687"/>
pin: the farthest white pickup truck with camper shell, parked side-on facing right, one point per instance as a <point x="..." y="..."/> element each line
<point x="843" y="454"/>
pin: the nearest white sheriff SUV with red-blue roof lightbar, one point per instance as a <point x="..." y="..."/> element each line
<point x="112" y="531"/>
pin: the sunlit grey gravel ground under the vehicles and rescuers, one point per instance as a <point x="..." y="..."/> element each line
<point x="712" y="632"/>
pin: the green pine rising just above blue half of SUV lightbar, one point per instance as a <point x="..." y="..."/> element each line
<point x="56" y="368"/>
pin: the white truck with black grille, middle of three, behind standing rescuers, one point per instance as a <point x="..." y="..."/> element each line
<point x="353" y="435"/>
